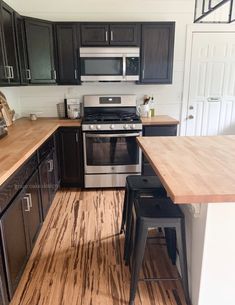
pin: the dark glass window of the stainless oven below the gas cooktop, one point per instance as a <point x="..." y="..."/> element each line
<point x="110" y="150"/>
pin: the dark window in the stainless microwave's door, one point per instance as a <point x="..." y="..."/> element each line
<point x="101" y="66"/>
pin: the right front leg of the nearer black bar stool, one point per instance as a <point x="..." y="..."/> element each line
<point x="181" y="243"/>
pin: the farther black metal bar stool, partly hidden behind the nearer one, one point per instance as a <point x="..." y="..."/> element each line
<point x="145" y="186"/>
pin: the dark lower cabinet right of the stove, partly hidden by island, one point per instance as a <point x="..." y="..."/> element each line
<point x="155" y="131"/>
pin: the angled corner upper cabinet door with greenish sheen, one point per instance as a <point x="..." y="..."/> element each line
<point x="39" y="37"/>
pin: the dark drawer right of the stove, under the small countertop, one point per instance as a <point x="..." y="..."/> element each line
<point x="160" y="130"/>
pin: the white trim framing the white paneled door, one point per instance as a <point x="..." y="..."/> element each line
<point x="191" y="29"/>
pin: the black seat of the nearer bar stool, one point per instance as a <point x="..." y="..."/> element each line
<point x="157" y="208"/>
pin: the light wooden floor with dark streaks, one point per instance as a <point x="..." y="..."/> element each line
<point x="77" y="259"/>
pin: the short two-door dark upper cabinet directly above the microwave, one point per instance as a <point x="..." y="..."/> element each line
<point x="114" y="34"/>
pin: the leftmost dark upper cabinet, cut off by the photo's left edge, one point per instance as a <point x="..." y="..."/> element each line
<point x="9" y="57"/>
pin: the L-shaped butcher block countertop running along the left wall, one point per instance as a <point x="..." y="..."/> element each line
<point x="23" y="139"/>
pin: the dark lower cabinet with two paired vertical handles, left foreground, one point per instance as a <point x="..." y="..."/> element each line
<point x="20" y="226"/>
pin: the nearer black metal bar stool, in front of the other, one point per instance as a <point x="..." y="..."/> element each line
<point x="153" y="213"/>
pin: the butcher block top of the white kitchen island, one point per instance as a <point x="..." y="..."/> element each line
<point x="194" y="169"/>
